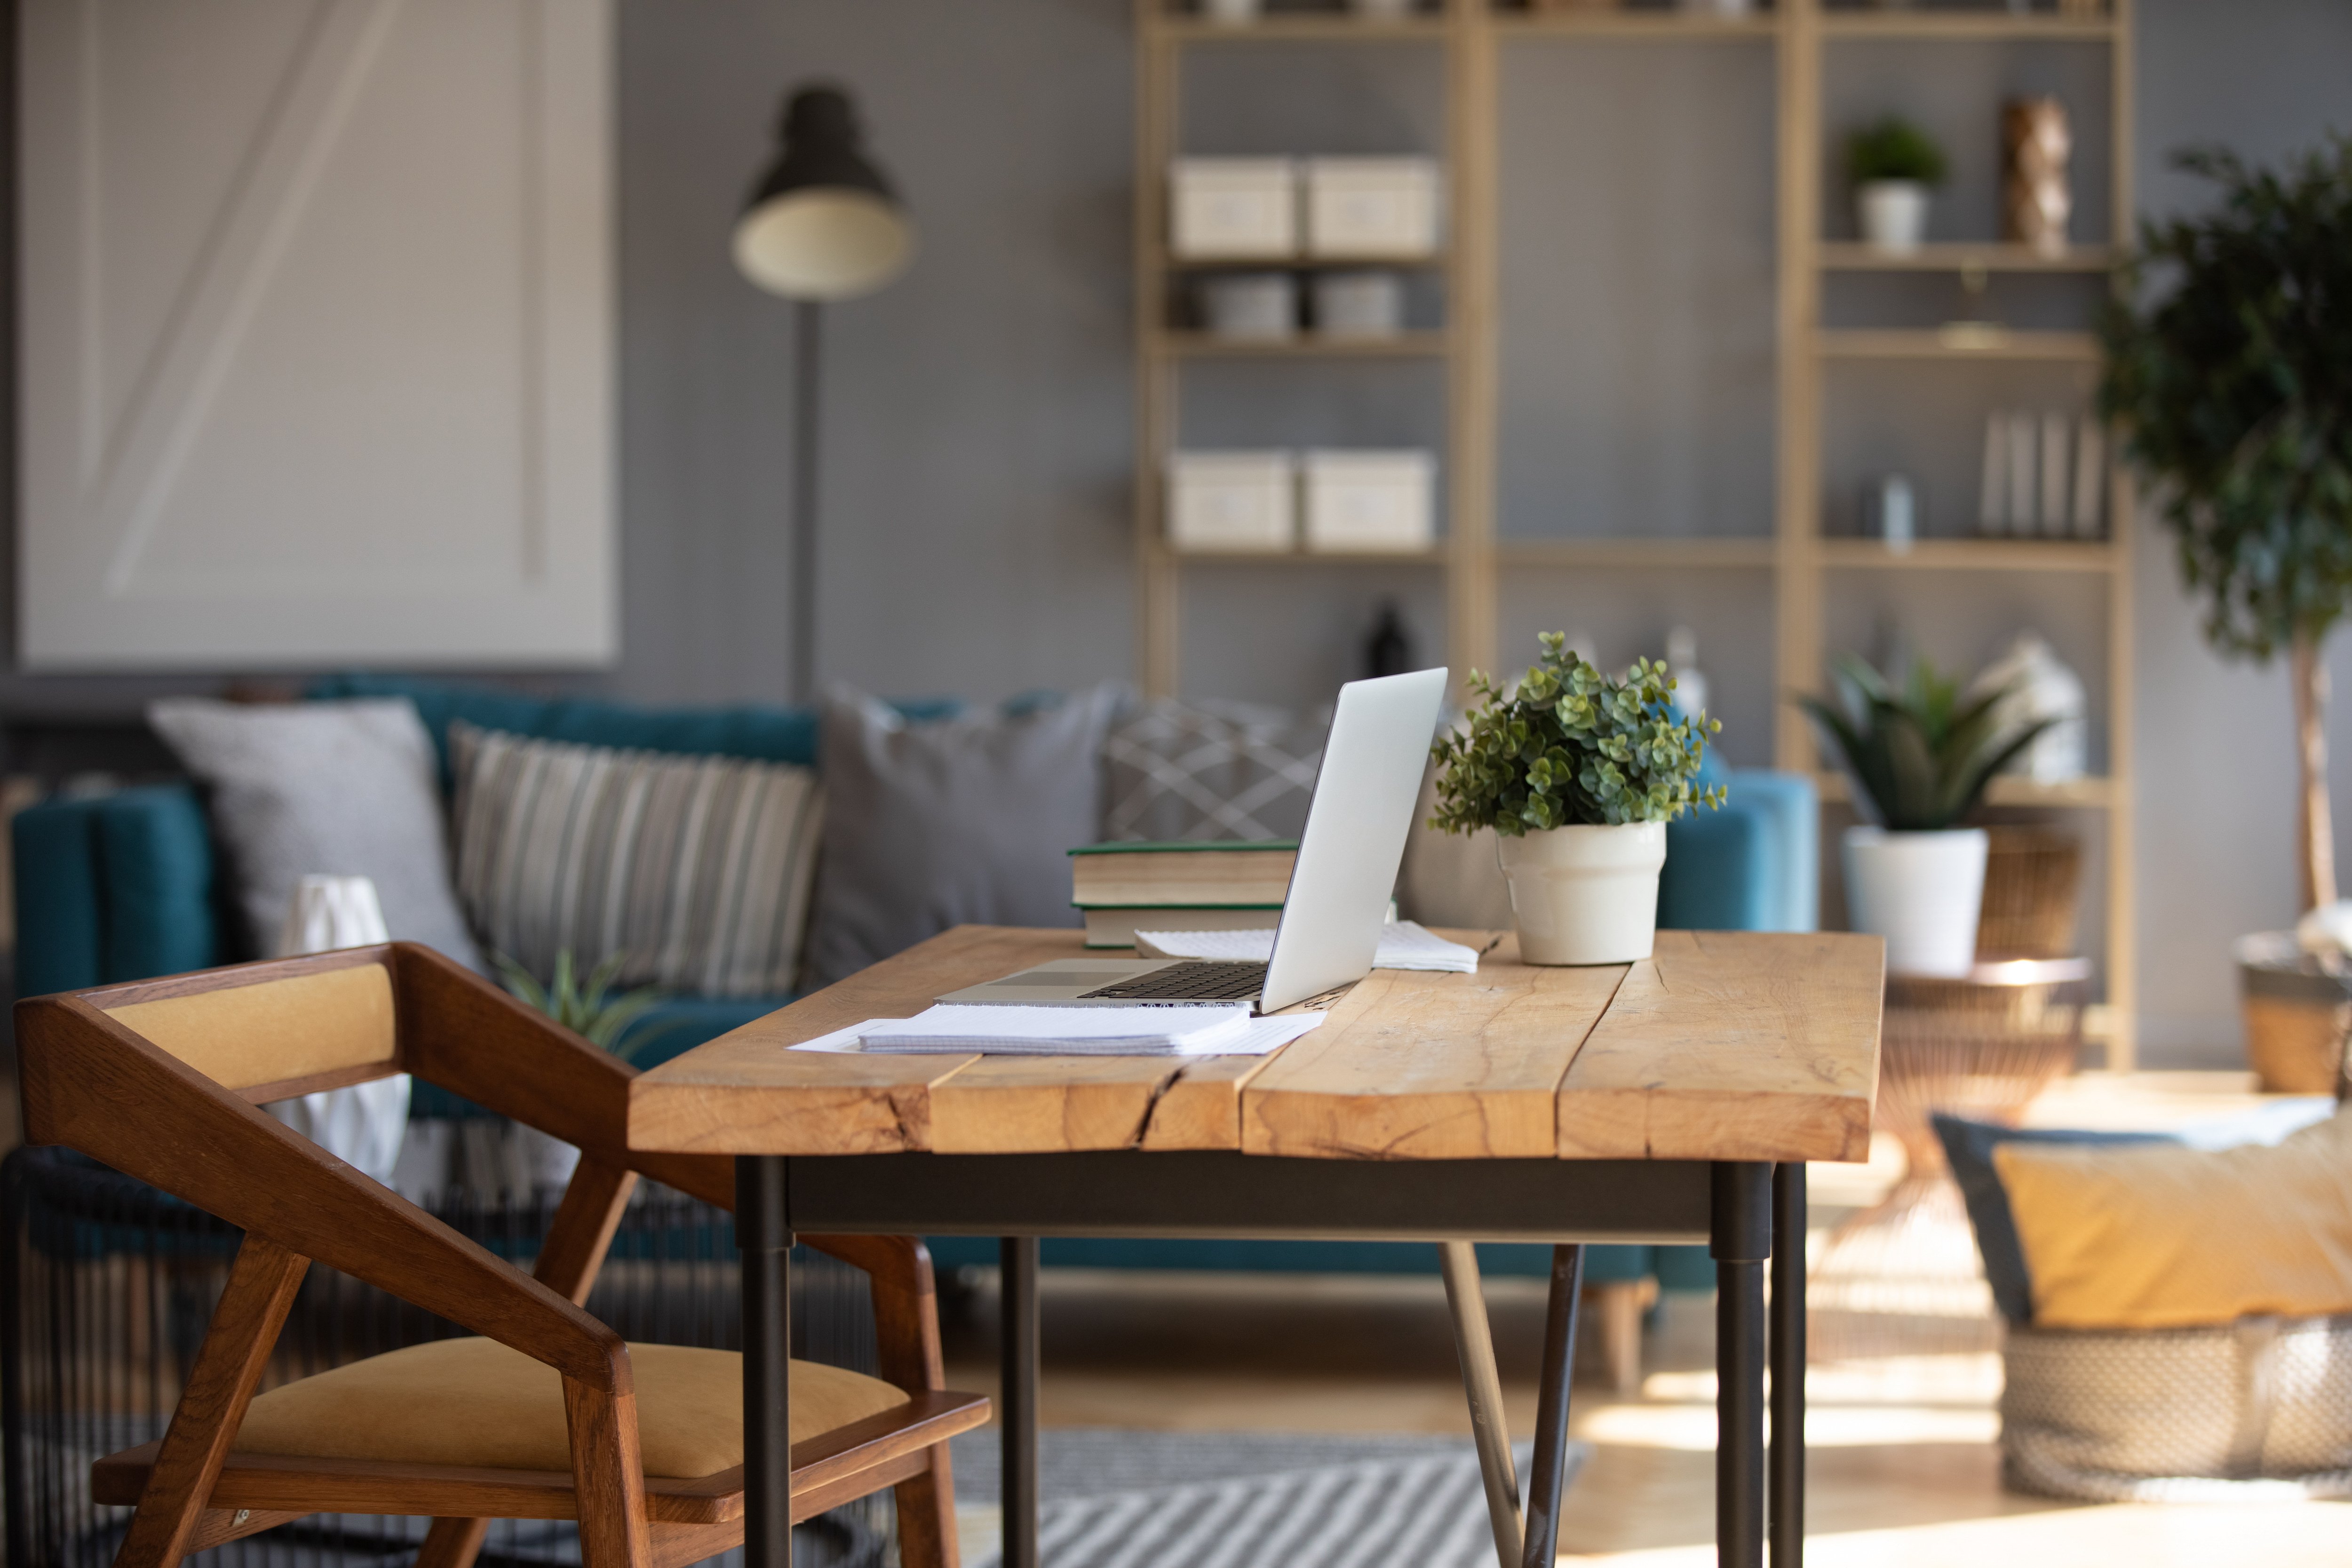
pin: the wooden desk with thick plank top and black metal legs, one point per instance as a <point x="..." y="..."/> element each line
<point x="1664" y="1101"/>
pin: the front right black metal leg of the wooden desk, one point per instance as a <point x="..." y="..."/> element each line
<point x="1739" y="1245"/>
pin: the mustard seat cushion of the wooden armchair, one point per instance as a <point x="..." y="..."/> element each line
<point x="476" y="1402"/>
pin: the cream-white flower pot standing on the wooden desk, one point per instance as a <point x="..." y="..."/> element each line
<point x="1586" y="894"/>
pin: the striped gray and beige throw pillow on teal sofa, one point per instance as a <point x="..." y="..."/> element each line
<point x="695" y="869"/>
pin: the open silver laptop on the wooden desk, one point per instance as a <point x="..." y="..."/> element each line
<point x="1337" y="904"/>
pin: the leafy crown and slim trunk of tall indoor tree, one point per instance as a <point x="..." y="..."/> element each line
<point x="2231" y="380"/>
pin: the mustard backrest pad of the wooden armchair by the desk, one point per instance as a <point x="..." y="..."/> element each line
<point x="274" y="1031"/>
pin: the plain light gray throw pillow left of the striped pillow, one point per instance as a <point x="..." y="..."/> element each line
<point x="347" y="789"/>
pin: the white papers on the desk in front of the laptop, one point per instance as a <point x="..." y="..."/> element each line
<point x="1071" y="1031"/>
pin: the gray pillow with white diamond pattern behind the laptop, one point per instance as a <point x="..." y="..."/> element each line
<point x="1210" y="772"/>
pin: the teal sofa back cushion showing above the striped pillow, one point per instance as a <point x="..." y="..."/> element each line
<point x="759" y="735"/>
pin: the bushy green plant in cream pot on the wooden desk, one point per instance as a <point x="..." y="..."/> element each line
<point x="1579" y="775"/>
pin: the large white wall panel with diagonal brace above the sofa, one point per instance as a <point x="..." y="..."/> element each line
<point x="316" y="333"/>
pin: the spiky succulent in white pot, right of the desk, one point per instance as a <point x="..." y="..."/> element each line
<point x="1920" y="760"/>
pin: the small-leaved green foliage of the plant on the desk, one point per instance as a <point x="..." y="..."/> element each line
<point x="1572" y="746"/>
